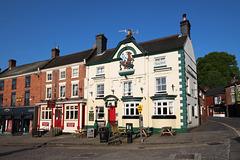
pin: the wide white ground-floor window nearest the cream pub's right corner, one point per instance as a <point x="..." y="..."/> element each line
<point x="163" y="107"/>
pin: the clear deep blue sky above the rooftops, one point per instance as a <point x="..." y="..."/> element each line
<point x="31" y="28"/>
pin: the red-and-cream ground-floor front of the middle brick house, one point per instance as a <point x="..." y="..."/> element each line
<point x="68" y="115"/>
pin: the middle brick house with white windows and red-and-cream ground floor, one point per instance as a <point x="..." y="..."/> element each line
<point x="62" y="85"/>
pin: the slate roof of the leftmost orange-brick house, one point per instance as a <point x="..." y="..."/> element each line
<point x="23" y="69"/>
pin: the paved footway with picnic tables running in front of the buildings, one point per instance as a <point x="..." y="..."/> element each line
<point x="195" y="137"/>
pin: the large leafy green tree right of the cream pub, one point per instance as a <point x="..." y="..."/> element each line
<point x="217" y="69"/>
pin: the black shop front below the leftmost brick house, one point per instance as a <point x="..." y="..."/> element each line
<point x="17" y="120"/>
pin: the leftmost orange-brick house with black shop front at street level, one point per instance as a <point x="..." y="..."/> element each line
<point x="19" y="91"/>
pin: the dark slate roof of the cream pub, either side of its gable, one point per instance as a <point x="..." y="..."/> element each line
<point x="150" y="47"/>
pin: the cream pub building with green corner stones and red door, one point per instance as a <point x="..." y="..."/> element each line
<point x="159" y="74"/>
